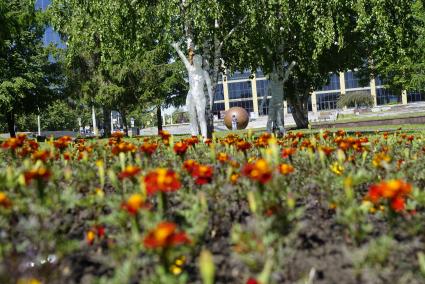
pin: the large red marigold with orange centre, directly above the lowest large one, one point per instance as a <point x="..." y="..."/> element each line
<point x="164" y="180"/>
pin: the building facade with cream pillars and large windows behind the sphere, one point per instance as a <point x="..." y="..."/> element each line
<point x="249" y="91"/>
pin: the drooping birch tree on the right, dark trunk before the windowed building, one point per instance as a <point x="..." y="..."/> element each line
<point x="321" y="37"/>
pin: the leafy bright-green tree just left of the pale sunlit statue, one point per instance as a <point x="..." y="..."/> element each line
<point x="129" y="66"/>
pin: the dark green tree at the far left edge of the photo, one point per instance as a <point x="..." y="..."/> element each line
<point x="28" y="79"/>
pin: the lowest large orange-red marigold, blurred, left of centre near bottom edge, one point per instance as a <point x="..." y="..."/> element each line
<point x="165" y="235"/>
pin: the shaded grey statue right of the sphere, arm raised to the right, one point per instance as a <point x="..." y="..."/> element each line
<point x="277" y="79"/>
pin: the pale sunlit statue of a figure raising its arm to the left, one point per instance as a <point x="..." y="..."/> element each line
<point x="196" y="100"/>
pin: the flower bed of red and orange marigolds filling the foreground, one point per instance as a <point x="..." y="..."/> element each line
<point x="330" y="207"/>
